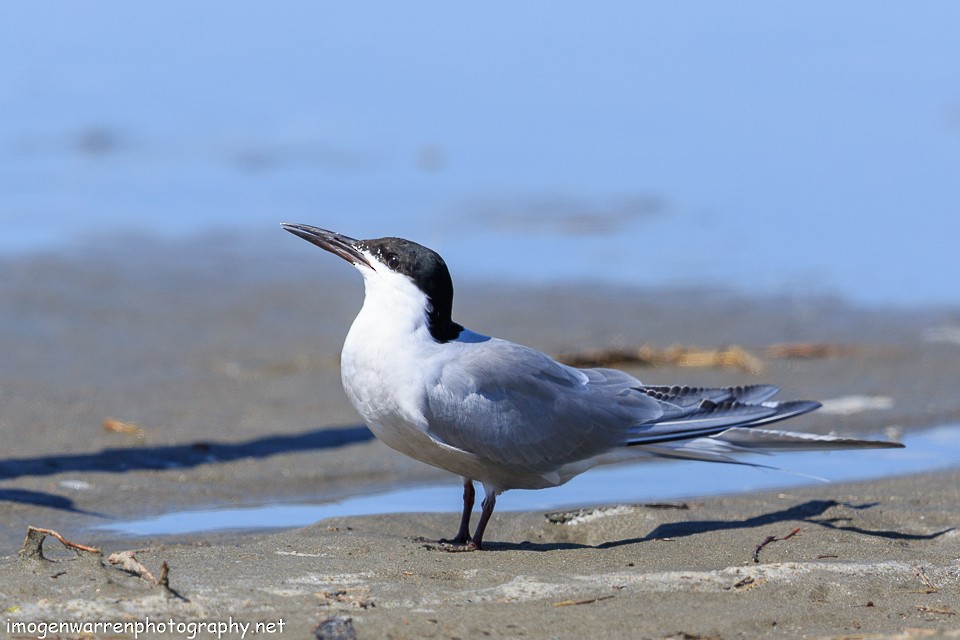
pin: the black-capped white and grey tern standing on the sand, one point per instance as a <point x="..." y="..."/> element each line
<point x="509" y="416"/>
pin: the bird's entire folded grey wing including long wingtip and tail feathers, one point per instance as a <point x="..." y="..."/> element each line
<point x="519" y="409"/>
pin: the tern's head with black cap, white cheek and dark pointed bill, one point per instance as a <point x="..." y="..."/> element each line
<point x="398" y="266"/>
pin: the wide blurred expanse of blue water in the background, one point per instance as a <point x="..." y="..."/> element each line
<point x="766" y="147"/>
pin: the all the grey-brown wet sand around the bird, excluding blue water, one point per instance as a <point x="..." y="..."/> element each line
<point x="227" y="365"/>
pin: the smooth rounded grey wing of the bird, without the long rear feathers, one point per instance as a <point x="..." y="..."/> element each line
<point x="518" y="408"/>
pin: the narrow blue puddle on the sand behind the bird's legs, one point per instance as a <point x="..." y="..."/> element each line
<point x="925" y="451"/>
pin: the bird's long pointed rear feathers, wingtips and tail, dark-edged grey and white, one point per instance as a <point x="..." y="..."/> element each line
<point x="715" y="425"/>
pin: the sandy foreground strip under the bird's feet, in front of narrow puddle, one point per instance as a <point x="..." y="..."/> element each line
<point x="852" y="560"/>
